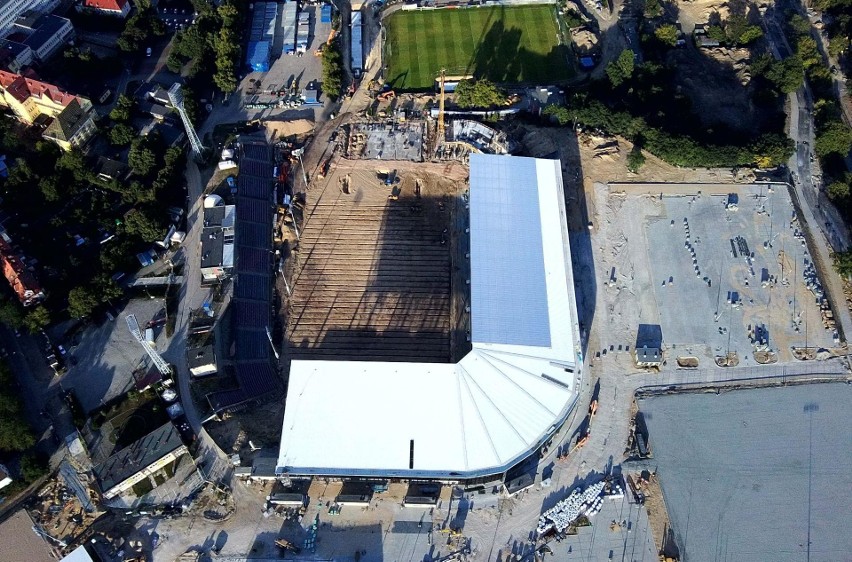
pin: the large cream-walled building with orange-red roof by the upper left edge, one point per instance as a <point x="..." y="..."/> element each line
<point x="29" y="98"/>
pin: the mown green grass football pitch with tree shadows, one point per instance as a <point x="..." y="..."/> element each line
<point x="505" y="45"/>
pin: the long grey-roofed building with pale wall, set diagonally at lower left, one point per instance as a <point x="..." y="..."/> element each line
<point x="139" y="460"/>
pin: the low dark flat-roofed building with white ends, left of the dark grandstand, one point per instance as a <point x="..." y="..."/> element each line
<point x="217" y="240"/>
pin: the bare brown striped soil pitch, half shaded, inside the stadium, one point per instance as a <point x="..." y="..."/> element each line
<point x="379" y="264"/>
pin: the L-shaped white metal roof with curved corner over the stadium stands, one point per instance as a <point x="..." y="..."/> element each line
<point x="487" y="412"/>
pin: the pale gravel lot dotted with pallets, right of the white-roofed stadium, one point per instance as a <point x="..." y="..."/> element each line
<point x="733" y="255"/>
